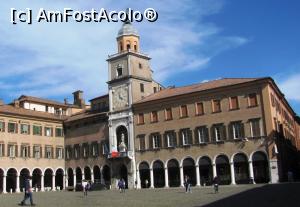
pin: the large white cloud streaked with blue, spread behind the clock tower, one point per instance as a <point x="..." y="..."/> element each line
<point x="54" y="59"/>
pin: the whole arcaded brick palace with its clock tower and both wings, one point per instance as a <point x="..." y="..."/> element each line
<point x="242" y="130"/>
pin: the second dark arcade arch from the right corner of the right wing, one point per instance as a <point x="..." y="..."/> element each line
<point x="241" y="169"/>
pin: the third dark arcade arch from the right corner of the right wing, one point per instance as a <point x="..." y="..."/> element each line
<point x="223" y="170"/>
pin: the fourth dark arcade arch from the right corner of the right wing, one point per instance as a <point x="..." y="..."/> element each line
<point x="206" y="173"/>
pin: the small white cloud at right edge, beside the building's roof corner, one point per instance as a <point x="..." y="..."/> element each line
<point x="290" y="87"/>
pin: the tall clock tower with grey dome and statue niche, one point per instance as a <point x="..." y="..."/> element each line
<point x="130" y="79"/>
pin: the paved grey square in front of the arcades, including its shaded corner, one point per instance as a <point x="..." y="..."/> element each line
<point x="241" y="196"/>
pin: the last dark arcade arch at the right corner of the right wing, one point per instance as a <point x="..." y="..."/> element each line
<point x="260" y="167"/>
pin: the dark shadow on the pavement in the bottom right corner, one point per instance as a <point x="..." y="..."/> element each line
<point x="274" y="195"/>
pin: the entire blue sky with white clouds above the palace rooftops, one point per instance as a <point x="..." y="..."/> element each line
<point x="192" y="41"/>
